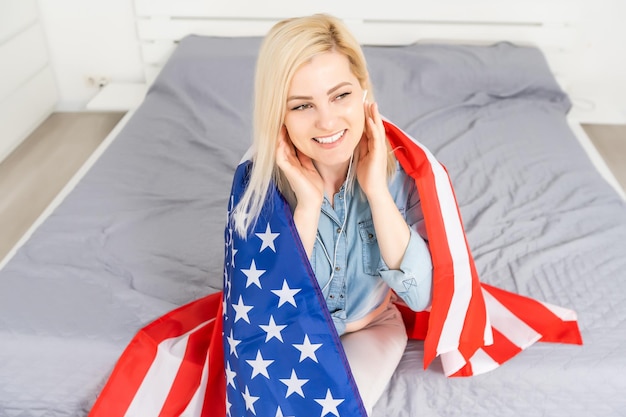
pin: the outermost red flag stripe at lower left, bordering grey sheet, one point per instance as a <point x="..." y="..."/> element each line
<point x="131" y="368"/>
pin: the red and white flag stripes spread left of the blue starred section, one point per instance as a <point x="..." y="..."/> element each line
<point x="158" y="372"/>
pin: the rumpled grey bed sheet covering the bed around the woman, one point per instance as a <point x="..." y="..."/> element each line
<point x="143" y="231"/>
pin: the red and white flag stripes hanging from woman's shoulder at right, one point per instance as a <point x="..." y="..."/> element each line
<point x="458" y="319"/>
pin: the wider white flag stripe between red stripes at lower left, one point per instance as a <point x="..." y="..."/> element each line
<point x="152" y="393"/>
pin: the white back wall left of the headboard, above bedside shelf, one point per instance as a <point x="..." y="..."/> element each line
<point x="88" y="38"/>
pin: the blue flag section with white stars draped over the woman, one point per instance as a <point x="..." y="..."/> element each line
<point x="282" y="354"/>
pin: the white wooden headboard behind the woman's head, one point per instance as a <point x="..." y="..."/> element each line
<point x="550" y="25"/>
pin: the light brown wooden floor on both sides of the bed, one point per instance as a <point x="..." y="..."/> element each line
<point x="37" y="170"/>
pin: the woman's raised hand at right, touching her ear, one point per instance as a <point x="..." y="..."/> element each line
<point x="372" y="167"/>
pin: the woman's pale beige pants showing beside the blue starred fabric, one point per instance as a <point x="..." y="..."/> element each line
<point x="374" y="353"/>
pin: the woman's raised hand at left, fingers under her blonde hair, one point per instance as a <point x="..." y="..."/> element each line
<point x="299" y="170"/>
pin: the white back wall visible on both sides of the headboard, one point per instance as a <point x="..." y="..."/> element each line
<point x="98" y="38"/>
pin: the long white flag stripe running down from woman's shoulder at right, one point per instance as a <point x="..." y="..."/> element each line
<point x="455" y="319"/>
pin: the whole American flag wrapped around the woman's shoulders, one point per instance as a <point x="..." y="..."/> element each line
<point x="266" y="346"/>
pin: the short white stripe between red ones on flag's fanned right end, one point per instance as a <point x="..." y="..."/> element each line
<point x="507" y="323"/>
